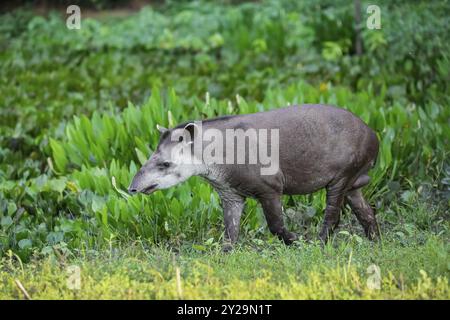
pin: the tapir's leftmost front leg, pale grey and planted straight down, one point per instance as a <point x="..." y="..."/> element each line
<point x="232" y="205"/>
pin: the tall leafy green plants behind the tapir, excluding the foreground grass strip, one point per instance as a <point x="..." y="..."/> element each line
<point x="78" y="110"/>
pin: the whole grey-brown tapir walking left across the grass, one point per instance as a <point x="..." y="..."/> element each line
<point x="318" y="146"/>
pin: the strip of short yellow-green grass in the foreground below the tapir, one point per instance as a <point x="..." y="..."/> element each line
<point x="254" y="270"/>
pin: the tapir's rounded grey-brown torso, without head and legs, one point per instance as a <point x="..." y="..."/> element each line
<point x="318" y="144"/>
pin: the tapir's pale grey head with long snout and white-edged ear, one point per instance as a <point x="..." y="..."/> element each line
<point x="171" y="163"/>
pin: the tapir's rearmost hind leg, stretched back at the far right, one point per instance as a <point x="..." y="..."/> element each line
<point x="363" y="212"/>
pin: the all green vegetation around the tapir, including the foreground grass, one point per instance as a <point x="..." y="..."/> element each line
<point x="78" y="110"/>
